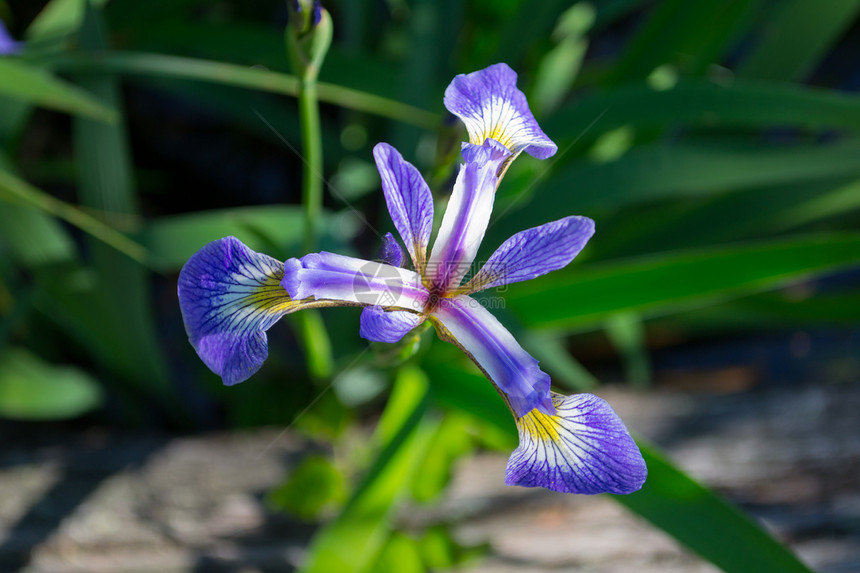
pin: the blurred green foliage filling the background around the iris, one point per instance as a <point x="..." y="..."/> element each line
<point x="715" y="143"/>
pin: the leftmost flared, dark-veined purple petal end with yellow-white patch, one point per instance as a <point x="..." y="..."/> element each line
<point x="230" y="296"/>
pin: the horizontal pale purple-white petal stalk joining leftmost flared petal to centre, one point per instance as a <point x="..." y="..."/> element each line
<point x="355" y="281"/>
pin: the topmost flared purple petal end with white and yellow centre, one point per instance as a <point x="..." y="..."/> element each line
<point x="491" y="106"/>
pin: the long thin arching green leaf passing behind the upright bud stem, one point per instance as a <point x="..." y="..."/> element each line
<point x="130" y="63"/>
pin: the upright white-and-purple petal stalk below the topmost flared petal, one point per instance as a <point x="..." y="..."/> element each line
<point x="466" y="217"/>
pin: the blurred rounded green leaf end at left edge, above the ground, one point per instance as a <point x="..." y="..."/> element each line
<point x="31" y="389"/>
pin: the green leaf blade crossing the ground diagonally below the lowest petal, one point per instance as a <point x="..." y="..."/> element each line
<point x="704" y="522"/>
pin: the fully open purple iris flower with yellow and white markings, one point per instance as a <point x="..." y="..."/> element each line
<point x="230" y="295"/>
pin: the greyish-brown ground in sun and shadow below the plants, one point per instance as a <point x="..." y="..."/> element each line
<point x="105" y="502"/>
